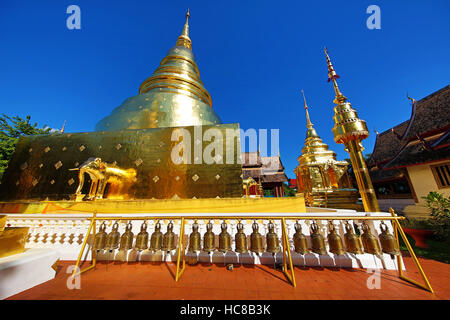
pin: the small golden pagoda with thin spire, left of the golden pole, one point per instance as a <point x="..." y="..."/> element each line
<point x="320" y="177"/>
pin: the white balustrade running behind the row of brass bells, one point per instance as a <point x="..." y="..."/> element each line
<point x="65" y="233"/>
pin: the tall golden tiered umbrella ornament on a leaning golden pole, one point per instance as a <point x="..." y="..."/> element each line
<point x="350" y="130"/>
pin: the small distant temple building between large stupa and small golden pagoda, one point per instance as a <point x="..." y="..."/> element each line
<point x="268" y="172"/>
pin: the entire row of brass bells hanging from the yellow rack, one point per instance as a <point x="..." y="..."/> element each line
<point x="166" y="242"/>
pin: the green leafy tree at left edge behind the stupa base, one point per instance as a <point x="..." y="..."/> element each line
<point x="11" y="128"/>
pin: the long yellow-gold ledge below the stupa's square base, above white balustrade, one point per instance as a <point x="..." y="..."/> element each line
<point x="221" y="205"/>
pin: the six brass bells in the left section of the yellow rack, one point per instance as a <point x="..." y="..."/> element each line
<point x="113" y="240"/>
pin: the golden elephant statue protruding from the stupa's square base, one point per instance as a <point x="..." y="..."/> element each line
<point x="102" y="175"/>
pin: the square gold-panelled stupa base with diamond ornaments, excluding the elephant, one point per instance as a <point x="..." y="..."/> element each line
<point x="146" y="151"/>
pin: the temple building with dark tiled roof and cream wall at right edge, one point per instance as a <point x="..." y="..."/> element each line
<point x="413" y="158"/>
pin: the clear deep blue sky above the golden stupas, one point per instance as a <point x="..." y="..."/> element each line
<point x="254" y="58"/>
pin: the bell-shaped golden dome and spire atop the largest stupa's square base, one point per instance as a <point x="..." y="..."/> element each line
<point x="173" y="96"/>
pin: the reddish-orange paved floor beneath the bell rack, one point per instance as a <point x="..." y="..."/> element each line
<point x="156" y="281"/>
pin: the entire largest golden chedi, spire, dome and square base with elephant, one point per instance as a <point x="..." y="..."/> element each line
<point x="130" y="155"/>
